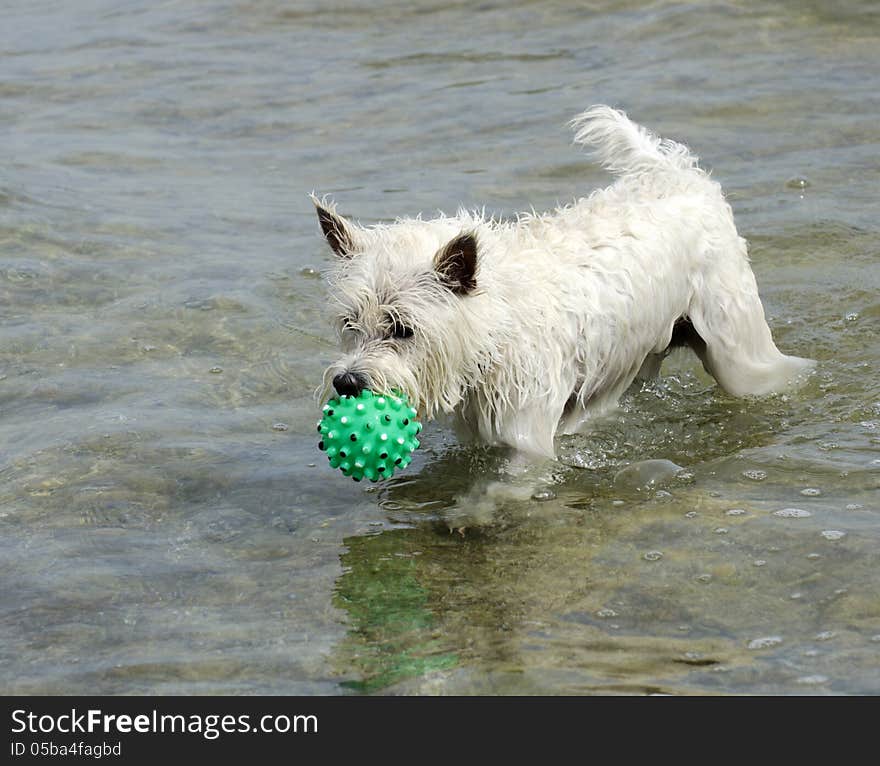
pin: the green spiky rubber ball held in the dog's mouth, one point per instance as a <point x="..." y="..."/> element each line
<point x="369" y="435"/>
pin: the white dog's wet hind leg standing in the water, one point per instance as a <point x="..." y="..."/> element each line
<point x="727" y="317"/>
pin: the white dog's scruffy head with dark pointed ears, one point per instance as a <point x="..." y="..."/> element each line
<point x="402" y="296"/>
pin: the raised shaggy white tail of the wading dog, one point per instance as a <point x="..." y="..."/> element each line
<point x="624" y="148"/>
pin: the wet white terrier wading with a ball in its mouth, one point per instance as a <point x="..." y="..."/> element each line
<point x="523" y="330"/>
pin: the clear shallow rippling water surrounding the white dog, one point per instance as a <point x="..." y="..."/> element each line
<point x="167" y="524"/>
